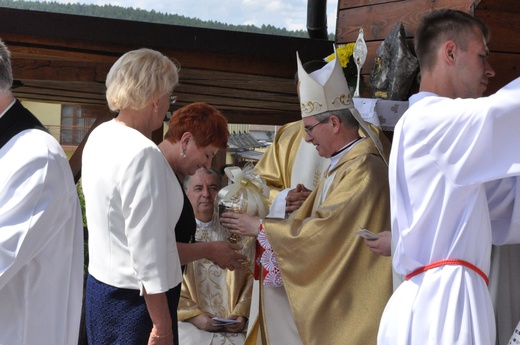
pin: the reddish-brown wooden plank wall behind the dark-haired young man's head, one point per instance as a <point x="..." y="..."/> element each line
<point x="379" y="17"/>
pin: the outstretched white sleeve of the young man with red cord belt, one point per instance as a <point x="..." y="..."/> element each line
<point x="482" y="143"/>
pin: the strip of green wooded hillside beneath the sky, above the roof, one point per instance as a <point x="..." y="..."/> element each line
<point x="130" y="13"/>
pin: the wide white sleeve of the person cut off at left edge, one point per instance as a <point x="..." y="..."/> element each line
<point x="34" y="201"/>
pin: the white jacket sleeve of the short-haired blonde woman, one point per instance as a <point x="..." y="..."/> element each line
<point x="145" y="212"/>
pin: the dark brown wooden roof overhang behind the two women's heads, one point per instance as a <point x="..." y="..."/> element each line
<point x="65" y="58"/>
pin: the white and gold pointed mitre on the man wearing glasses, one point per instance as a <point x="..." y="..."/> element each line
<point x="323" y="90"/>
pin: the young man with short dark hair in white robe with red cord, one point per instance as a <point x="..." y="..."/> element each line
<point x="449" y="148"/>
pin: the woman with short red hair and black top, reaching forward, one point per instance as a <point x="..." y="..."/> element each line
<point x="196" y="133"/>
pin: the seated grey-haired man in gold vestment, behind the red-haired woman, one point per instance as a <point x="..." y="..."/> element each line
<point x="207" y="290"/>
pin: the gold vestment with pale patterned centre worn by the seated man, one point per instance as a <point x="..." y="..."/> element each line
<point x="206" y="288"/>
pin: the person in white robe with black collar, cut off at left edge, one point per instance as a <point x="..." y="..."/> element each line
<point x="41" y="231"/>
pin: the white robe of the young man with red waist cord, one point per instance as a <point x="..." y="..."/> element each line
<point x="444" y="151"/>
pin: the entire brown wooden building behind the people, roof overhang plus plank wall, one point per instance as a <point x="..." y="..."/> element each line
<point x="249" y="77"/>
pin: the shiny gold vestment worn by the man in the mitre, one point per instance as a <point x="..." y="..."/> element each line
<point x="336" y="286"/>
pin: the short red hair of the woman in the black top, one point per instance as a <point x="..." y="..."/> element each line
<point x="207" y="125"/>
